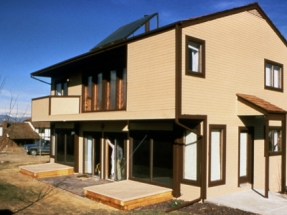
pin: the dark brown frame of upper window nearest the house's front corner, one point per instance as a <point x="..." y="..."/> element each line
<point x="200" y="74"/>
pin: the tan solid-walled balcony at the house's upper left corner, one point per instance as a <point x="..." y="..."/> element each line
<point x="47" y="106"/>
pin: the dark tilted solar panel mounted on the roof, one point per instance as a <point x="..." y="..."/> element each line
<point x="124" y="32"/>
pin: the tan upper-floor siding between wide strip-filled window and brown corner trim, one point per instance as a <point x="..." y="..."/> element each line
<point x="151" y="74"/>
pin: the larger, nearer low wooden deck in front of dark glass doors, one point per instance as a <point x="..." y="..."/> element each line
<point x="126" y="195"/>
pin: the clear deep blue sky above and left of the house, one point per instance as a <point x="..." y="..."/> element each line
<point x="38" y="33"/>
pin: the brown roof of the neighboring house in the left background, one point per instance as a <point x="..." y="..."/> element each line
<point x="21" y="131"/>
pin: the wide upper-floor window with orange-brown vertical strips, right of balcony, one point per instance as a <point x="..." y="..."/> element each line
<point x="105" y="91"/>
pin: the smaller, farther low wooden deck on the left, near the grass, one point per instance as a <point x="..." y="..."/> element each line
<point x="46" y="170"/>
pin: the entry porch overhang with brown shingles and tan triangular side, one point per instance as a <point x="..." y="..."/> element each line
<point x="249" y="105"/>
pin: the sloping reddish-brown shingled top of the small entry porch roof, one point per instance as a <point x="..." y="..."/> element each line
<point x="262" y="104"/>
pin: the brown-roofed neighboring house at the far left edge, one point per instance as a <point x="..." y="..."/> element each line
<point x="17" y="133"/>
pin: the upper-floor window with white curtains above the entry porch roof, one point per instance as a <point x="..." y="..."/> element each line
<point x="273" y="76"/>
